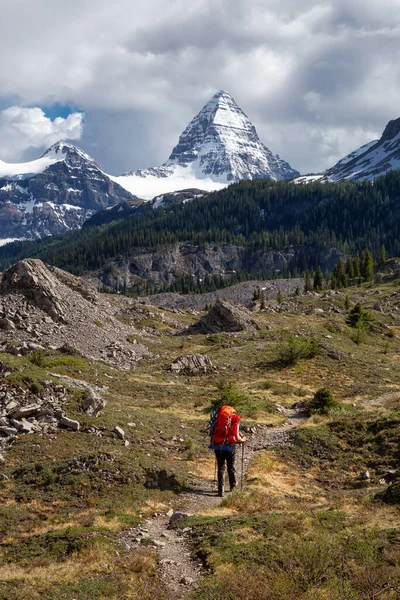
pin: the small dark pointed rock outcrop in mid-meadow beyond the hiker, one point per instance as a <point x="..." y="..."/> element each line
<point x="225" y="317"/>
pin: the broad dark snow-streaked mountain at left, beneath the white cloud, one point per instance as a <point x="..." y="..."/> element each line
<point x="54" y="193"/>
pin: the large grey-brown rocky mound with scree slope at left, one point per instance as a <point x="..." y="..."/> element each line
<point x="44" y="304"/>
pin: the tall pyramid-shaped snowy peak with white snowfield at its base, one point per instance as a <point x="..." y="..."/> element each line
<point x="219" y="146"/>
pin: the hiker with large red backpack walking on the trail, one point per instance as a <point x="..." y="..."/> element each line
<point x="225" y="435"/>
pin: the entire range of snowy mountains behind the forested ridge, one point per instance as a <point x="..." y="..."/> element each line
<point x="66" y="187"/>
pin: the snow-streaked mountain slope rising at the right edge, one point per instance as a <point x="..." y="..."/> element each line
<point x="367" y="162"/>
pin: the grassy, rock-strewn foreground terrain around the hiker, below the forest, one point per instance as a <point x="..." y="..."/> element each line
<point x="106" y="481"/>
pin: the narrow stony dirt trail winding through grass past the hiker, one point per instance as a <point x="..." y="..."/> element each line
<point x="180" y="572"/>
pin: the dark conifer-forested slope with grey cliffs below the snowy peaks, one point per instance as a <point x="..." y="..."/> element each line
<point x="258" y="228"/>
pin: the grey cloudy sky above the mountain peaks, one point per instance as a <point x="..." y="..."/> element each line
<point x="123" y="78"/>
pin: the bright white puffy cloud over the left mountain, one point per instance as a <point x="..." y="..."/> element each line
<point x="25" y="128"/>
